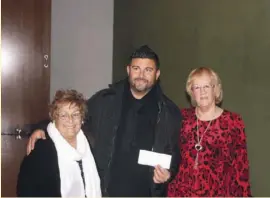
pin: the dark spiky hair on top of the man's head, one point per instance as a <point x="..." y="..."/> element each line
<point x="145" y="52"/>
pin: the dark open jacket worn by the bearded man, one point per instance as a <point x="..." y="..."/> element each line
<point x="104" y="113"/>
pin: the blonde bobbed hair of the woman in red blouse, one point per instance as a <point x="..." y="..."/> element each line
<point x="214" y="78"/>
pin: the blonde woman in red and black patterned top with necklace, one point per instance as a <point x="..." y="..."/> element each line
<point x="212" y="143"/>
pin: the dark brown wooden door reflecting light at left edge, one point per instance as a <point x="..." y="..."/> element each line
<point x="25" y="79"/>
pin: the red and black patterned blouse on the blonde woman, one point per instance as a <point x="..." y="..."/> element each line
<point x="223" y="167"/>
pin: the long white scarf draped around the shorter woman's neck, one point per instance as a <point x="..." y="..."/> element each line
<point x="70" y="173"/>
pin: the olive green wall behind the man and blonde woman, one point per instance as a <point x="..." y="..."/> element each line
<point x="231" y="36"/>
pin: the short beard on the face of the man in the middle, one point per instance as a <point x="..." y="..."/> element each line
<point x="141" y="85"/>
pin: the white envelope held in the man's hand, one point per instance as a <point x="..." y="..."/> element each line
<point x="151" y="158"/>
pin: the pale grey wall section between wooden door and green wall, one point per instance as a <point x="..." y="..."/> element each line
<point x="81" y="45"/>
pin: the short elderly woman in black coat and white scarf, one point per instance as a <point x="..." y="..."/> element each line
<point x="62" y="165"/>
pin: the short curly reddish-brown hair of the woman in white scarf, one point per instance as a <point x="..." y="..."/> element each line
<point x="68" y="96"/>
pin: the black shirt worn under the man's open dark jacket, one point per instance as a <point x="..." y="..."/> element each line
<point x="136" y="131"/>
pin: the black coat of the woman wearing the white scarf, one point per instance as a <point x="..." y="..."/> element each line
<point x="39" y="172"/>
